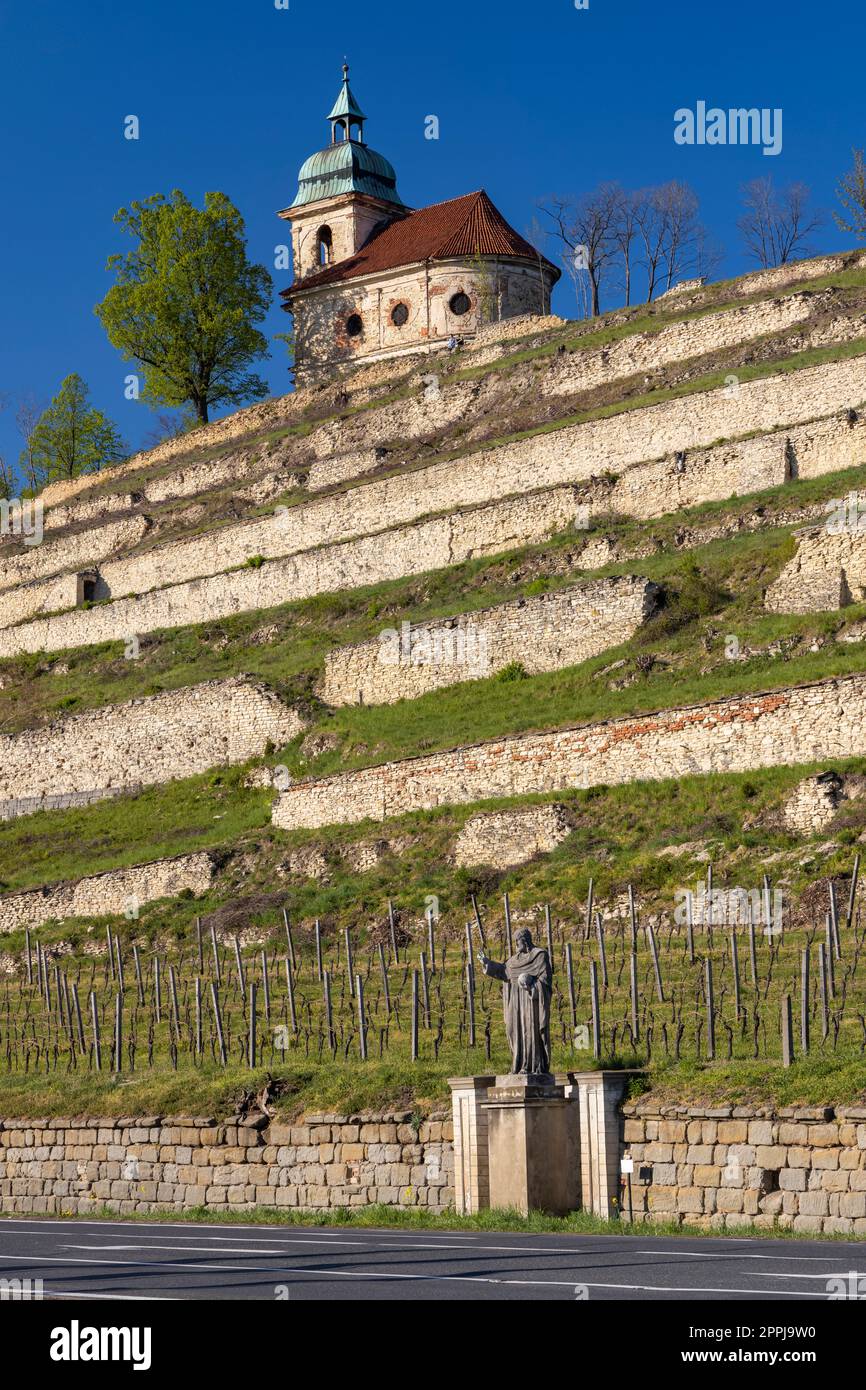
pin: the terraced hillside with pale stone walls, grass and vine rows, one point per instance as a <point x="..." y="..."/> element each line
<point x="551" y="618"/>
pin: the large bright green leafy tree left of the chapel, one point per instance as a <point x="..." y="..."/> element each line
<point x="187" y="301"/>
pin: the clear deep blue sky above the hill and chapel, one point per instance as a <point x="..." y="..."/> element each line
<point x="233" y="94"/>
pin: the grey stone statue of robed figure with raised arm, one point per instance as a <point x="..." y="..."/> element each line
<point x="528" y="983"/>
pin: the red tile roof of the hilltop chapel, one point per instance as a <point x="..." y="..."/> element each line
<point x="466" y="226"/>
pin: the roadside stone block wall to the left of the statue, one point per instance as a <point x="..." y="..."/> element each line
<point x="152" y="1163"/>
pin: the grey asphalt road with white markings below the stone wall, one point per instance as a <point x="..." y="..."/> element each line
<point x="133" y="1261"/>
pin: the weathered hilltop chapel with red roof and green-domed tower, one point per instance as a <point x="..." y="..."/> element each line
<point x="376" y="279"/>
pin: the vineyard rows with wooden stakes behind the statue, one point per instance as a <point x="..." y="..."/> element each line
<point x="728" y="978"/>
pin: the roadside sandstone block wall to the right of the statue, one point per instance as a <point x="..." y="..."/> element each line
<point x="724" y="1168"/>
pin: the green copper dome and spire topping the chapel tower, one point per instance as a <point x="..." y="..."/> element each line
<point x="347" y="166"/>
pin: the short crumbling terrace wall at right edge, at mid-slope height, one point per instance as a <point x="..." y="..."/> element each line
<point x="828" y="572"/>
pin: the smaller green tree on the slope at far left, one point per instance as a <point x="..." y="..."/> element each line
<point x="72" y="437"/>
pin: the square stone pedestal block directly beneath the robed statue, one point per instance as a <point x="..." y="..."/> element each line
<point x="533" y="1146"/>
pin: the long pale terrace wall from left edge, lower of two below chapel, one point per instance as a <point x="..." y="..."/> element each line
<point x="414" y="550"/>
